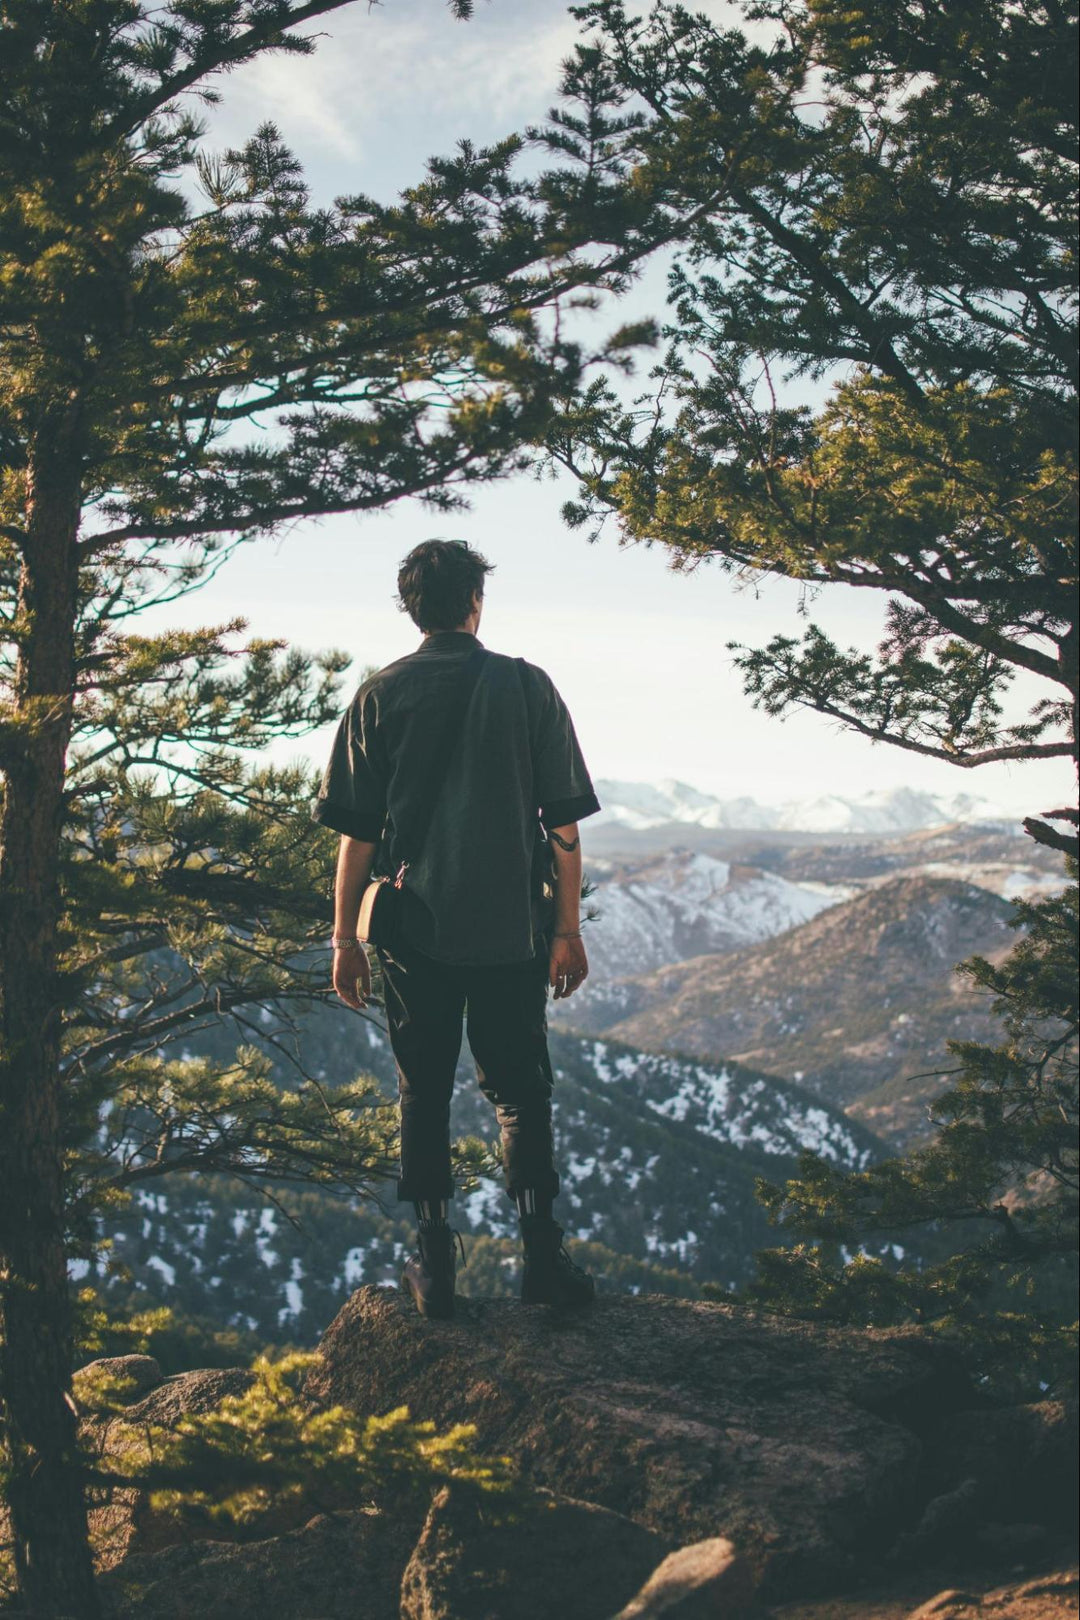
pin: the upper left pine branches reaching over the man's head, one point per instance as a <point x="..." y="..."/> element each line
<point x="240" y="354"/>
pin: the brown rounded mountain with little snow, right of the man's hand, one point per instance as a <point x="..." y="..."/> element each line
<point x="856" y="1004"/>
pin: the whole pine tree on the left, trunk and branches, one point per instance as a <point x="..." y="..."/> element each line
<point x="195" y="354"/>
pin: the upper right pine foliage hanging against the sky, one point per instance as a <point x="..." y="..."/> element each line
<point x="872" y="354"/>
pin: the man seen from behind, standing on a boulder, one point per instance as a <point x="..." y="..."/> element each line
<point x="478" y="939"/>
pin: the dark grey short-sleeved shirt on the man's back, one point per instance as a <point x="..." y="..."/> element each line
<point x="517" y="767"/>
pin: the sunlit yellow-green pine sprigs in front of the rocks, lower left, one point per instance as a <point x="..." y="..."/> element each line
<point x="273" y="1451"/>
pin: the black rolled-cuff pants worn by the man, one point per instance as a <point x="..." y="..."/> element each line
<point x="506" y="1018"/>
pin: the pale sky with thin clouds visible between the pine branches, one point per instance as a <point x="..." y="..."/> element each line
<point x="637" y="650"/>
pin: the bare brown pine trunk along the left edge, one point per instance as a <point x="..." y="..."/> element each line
<point x="46" y="1493"/>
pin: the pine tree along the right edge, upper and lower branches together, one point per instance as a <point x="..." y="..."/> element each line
<point x="870" y="380"/>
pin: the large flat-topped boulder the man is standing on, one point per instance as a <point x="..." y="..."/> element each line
<point x="694" y="1418"/>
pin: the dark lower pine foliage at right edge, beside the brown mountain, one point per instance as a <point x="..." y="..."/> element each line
<point x="997" y="1190"/>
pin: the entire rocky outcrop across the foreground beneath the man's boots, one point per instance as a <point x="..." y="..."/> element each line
<point x="676" y="1459"/>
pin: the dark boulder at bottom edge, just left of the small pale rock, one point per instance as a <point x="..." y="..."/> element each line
<point x="559" y="1558"/>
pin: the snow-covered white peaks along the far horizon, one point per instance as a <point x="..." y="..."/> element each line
<point x="640" y="806"/>
